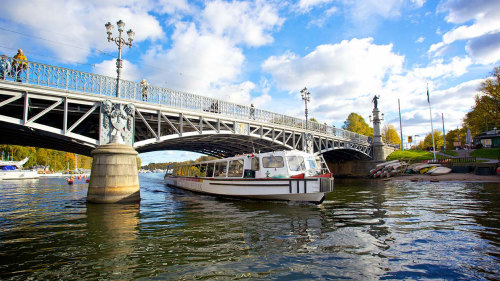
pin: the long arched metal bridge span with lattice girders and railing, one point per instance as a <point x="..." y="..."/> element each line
<point x="65" y="109"/>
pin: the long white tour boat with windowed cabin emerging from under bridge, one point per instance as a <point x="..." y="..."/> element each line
<point x="280" y="175"/>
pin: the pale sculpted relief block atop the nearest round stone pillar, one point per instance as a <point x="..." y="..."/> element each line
<point x="117" y="123"/>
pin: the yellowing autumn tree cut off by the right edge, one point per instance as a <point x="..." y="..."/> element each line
<point x="485" y="114"/>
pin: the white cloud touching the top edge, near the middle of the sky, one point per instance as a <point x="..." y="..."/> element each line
<point x="244" y="22"/>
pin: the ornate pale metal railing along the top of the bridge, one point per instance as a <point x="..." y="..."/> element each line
<point x="68" y="79"/>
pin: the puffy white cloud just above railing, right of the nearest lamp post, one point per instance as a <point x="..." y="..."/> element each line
<point x="195" y="62"/>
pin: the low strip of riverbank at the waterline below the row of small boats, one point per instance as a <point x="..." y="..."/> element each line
<point x="462" y="177"/>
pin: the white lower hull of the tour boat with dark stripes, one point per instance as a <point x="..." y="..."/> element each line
<point x="302" y="190"/>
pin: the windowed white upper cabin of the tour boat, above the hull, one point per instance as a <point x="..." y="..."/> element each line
<point x="277" y="164"/>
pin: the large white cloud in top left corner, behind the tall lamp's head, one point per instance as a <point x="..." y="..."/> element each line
<point x="79" y="25"/>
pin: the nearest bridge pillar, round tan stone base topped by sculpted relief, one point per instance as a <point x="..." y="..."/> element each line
<point x="114" y="177"/>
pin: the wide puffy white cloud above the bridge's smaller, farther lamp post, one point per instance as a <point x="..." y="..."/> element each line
<point x="357" y="63"/>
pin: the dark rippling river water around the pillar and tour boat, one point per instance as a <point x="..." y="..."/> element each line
<point x="365" y="230"/>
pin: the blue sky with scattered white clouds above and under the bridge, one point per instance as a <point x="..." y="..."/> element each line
<point x="265" y="52"/>
